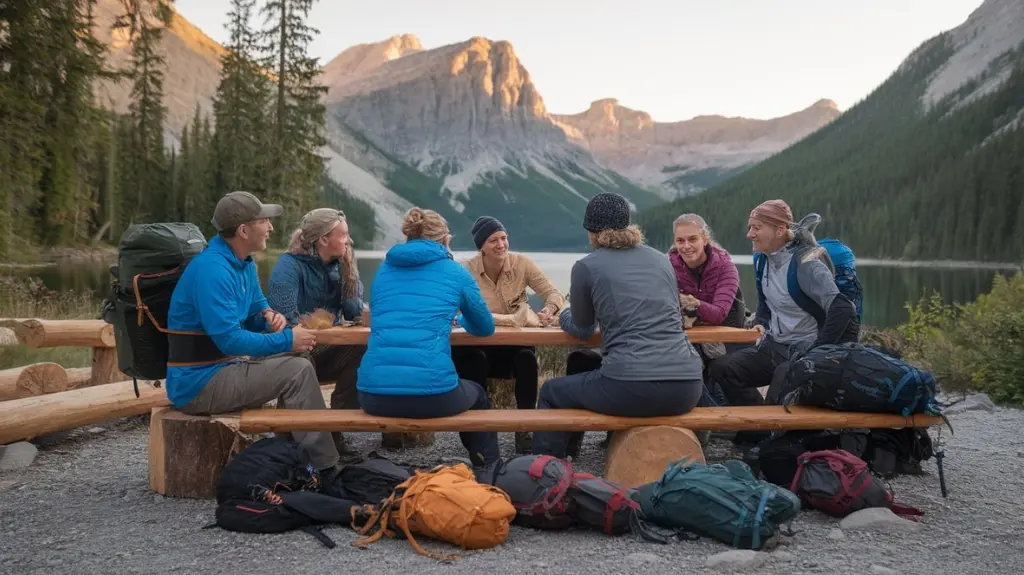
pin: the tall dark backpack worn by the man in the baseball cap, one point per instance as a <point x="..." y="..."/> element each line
<point x="151" y="260"/>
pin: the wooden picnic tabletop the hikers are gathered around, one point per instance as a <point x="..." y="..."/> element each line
<point x="358" y="336"/>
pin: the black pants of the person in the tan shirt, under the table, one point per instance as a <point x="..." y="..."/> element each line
<point x="480" y="363"/>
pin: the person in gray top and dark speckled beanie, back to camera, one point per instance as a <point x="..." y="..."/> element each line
<point x="650" y="368"/>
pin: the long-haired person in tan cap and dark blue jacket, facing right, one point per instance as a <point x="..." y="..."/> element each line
<point x="319" y="273"/>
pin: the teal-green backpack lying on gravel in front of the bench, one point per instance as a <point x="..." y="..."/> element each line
<point x="722" y="501"/>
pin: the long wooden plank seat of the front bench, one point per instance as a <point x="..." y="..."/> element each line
<point x="701" y="419"/>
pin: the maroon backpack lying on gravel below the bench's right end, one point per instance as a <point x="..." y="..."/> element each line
<point x="838" y="483"/>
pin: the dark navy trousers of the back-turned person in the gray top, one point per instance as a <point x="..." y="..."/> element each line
<point x="592" y="391"/>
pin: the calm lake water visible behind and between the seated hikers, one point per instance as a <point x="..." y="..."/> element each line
<point x="887" y="287"/>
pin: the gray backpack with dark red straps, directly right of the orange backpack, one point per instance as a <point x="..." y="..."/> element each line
<point x="538" y="486"/>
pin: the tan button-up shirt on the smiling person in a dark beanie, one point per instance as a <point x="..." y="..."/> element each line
<point x="508" y="295"/>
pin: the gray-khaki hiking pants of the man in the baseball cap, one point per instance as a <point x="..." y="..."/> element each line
<point x="289" y="379"/>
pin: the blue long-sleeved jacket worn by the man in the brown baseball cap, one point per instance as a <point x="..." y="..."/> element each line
<point x="220" y="295"/>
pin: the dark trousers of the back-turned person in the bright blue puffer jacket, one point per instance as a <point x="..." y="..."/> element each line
<point x="483" y="447"/>
